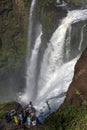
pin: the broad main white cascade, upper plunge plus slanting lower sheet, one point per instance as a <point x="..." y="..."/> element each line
<point x="55" y="76"/>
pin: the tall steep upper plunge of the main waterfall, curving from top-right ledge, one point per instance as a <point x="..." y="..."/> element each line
<point x="53" y="57"/>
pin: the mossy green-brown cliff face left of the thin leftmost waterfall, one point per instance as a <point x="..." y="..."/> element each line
<point x="13" y="38"/>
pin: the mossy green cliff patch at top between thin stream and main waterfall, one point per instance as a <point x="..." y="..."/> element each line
<point x="49" y="16"/>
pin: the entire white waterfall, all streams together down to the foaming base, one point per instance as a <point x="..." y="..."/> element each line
<point x="56" y="70"/>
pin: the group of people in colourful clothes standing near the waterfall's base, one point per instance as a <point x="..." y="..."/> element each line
<point x="25" y="117"/>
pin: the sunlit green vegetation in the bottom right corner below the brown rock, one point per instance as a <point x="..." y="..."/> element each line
<point x="68" y="118"/>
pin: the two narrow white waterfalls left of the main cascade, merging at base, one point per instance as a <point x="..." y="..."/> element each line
<point x="31" y="61"/>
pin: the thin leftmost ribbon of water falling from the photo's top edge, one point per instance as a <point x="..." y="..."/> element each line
<point x="28" y="60"/>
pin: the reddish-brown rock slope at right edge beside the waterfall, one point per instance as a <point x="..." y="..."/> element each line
<point x="77" y="93"/>
